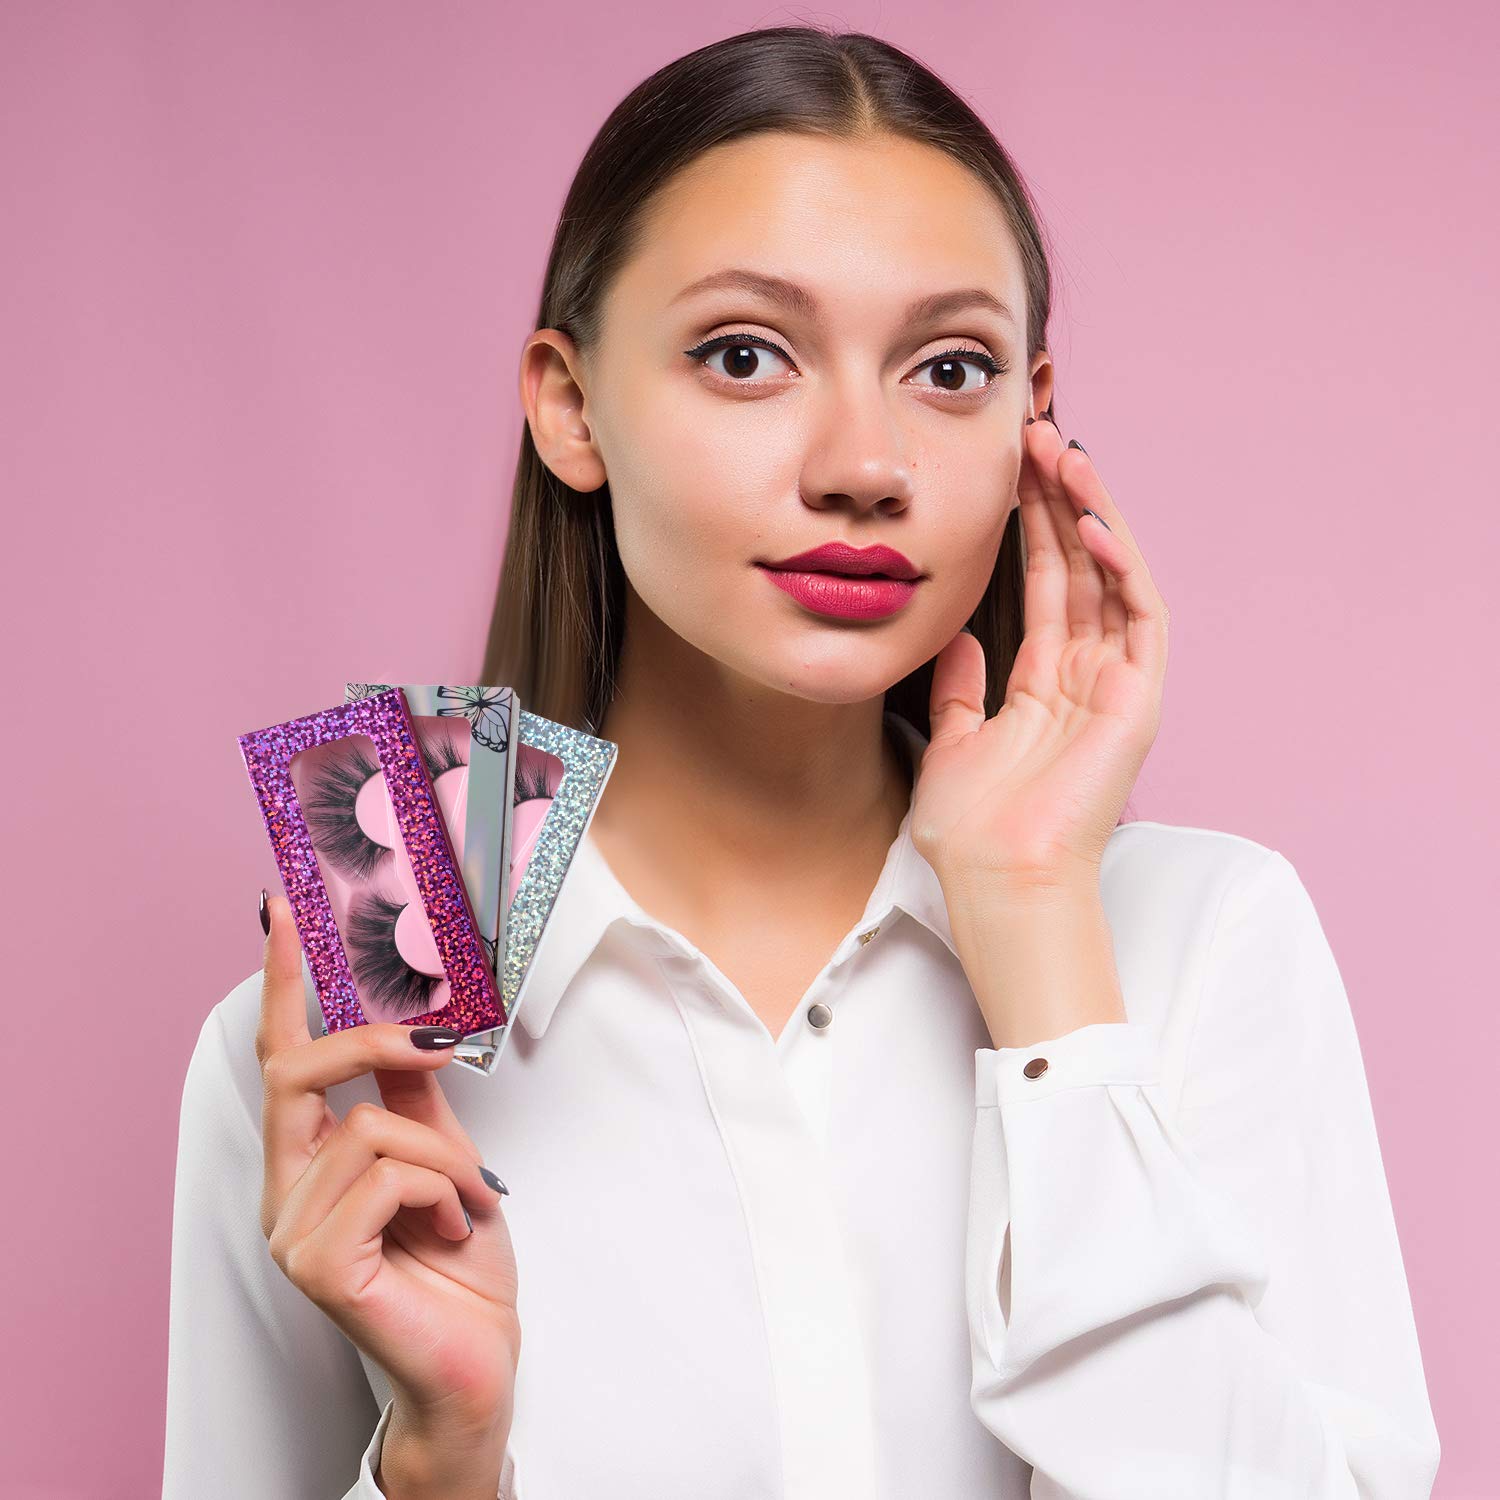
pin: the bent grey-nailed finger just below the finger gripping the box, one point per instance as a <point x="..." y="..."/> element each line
<point x="367" y="1135"/>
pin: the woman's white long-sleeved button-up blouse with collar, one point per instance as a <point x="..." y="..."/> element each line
<point x="874" y="1258"/>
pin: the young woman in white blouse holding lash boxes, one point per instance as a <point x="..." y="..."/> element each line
<point x="886" y="1117"/>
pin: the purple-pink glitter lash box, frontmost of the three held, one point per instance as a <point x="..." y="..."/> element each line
<point x="379" y="898"/>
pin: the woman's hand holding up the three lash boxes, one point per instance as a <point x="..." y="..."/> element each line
<point x="367" y="1216"/>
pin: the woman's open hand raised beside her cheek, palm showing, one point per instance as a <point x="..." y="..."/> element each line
<point x="1031" y="797"/>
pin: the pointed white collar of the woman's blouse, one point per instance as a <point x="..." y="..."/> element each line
<point x="592" y="902"/>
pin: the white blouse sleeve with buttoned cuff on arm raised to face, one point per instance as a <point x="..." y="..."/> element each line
<point x="1205" y="1301"/>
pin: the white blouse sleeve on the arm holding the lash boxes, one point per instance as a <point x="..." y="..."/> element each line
<point x="265" y="1393"/>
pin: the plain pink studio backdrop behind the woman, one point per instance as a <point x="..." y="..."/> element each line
<point x="265" y="281"/>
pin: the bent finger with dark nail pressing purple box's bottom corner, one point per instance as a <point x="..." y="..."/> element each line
<point x="296" y="1079"/>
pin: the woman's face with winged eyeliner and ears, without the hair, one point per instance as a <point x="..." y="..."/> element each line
<point x="847" y="431"/>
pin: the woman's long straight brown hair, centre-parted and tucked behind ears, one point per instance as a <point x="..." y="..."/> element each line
<point x="559" y="617"/>
